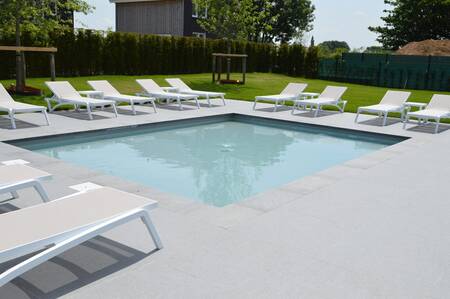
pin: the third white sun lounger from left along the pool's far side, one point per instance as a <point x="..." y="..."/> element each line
<point x="110" y="93"/>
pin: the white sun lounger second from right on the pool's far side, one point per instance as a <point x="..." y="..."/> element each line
<point x="393" y="101"/>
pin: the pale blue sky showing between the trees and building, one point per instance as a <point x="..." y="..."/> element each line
<point x="345" y="20"/>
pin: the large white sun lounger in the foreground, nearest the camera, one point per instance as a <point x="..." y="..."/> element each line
<point x="62" y="224"/>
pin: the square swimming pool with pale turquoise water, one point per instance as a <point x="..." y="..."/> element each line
<point x="216" y="160"/>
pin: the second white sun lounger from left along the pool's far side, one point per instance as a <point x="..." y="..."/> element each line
<point x="64" y="93"/>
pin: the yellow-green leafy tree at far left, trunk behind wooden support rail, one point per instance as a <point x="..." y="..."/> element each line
<point x="36" y="17"/>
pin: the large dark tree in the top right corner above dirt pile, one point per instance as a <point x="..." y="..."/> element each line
<point x="413" y="20"/>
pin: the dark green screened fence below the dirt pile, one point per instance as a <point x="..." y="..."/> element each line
<point x="396" y="71"/>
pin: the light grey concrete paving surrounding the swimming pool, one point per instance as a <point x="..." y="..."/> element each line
<point x="374" y="227"/>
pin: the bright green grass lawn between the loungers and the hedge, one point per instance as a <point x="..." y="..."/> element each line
<point x="257" y="84"/>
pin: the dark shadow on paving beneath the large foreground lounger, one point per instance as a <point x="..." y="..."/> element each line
<point x="75" y="268"/>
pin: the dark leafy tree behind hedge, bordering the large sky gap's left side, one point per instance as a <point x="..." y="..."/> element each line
<point x="283" y="20"/>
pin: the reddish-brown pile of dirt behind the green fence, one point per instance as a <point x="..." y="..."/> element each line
<point x="426" y="48"/>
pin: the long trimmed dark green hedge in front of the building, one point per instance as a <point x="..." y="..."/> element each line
<point x="87" y="52"/>
